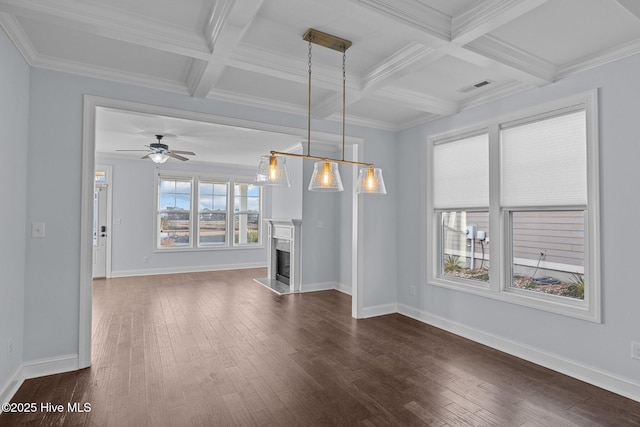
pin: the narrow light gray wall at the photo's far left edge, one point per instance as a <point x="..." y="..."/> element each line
<point x="14" y="108"/>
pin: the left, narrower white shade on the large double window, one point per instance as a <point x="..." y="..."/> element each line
<point x="461" y="173"/>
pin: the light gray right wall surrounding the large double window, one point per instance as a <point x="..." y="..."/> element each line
<point x="604" y="347"/>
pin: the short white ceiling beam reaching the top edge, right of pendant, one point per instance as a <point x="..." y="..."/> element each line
<point x="486" y="16"/>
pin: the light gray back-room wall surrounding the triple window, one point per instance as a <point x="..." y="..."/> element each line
<point x="133" y="228"/>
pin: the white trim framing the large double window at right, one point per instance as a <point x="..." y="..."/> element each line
<point x="499" y="281"/>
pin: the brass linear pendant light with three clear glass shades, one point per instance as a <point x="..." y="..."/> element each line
<point x="272" y="169"/>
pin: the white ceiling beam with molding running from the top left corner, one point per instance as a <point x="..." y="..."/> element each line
<point x="91" y="18"/>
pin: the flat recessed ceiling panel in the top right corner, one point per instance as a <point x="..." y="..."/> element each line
<point x="564" y="31"/>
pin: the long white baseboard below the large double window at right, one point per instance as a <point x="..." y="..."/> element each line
<point x="605" y="380"/>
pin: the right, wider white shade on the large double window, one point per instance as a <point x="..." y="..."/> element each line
<point x="544" y="163"/>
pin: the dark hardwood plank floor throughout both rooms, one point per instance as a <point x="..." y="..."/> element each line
<point x="218" y="349"/>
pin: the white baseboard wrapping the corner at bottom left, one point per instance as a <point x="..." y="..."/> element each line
<point x="35" y="369"/>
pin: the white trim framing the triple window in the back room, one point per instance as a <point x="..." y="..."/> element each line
<point x="194" y="245"/>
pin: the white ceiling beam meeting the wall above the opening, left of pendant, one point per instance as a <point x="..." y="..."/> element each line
<point x="228" y="21"/>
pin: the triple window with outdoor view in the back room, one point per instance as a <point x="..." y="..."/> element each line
<point x="194" y="213"/>
